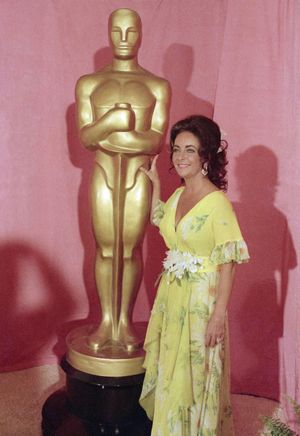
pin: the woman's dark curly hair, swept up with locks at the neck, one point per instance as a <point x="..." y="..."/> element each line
<point x="212" y="149"/>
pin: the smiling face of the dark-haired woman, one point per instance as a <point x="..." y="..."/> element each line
<point x="186" y="159"/>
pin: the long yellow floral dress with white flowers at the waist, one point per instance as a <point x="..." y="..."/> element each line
<point x="186" y="385"/>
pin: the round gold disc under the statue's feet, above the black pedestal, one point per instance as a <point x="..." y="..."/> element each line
<point x="111" y="361"/>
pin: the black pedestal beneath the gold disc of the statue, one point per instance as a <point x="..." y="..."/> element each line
<point x="93" y="405"/>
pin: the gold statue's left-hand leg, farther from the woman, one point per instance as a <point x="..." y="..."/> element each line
<point x="102" y="209"/>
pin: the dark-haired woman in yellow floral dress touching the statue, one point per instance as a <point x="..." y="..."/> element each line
<point x="186" y="386"/>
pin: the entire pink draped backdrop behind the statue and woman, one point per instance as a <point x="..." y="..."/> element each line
<point x="238" y="61"/>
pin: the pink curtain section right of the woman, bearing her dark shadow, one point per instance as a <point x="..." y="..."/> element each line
<point x="257" y="103"/>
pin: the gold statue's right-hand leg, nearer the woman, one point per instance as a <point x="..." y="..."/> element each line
<point x="136" y="216"/>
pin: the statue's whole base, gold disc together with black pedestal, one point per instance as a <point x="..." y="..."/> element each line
<point x="101" y="394"/>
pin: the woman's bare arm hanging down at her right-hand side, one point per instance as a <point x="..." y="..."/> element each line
<point x="216" y="326"/>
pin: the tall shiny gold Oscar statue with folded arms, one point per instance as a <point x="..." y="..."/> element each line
<point x="122" y="114"/>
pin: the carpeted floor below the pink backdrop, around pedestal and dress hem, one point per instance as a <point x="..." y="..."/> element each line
<point x="23" y="393"/>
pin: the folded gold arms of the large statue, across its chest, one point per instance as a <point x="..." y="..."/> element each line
<point x="115" y="130"/>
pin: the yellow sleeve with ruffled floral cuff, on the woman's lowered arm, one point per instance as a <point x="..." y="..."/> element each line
<point x="229" y="243"/>
